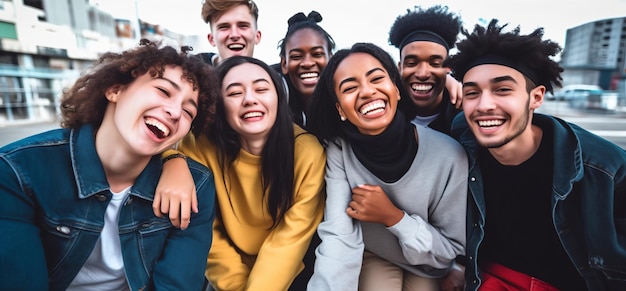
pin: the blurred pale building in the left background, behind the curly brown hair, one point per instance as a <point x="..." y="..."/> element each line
<point x="46" y="44"/>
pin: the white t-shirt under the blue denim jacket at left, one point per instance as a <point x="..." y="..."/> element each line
<point x="104" y="269"/>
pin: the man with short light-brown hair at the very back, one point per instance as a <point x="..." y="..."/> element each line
<point x="234" y="30"/>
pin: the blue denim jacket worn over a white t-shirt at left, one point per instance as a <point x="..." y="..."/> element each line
<point x="53" y="196"/>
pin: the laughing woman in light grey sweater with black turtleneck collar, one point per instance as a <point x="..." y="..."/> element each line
<point x="394" y="190"/>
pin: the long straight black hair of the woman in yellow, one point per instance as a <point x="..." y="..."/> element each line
<point x="277" y="156"/>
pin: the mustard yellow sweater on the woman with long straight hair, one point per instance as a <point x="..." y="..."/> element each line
<point x="246" y="254"/>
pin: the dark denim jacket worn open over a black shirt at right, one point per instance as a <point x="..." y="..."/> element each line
<point x="588" y="203"/>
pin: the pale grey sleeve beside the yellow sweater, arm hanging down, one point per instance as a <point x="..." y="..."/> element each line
<point x="340" y="254"/>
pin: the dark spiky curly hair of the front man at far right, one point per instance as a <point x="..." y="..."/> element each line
<point x="529" y="52"/>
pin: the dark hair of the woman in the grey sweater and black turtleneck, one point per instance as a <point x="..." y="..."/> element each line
<point x="323" y="119"/>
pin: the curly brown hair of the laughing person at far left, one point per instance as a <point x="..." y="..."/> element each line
<point x="85" y="102"/>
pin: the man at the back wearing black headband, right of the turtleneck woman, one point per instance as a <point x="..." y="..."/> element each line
<point x="424" y="38"/>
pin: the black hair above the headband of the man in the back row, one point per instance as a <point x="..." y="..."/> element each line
<point x="435" y="19"/>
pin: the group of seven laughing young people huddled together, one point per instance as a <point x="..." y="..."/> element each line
<point x="326" y="171"/>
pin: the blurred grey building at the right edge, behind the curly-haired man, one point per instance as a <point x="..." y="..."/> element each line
<point x="595" y="54"/>
